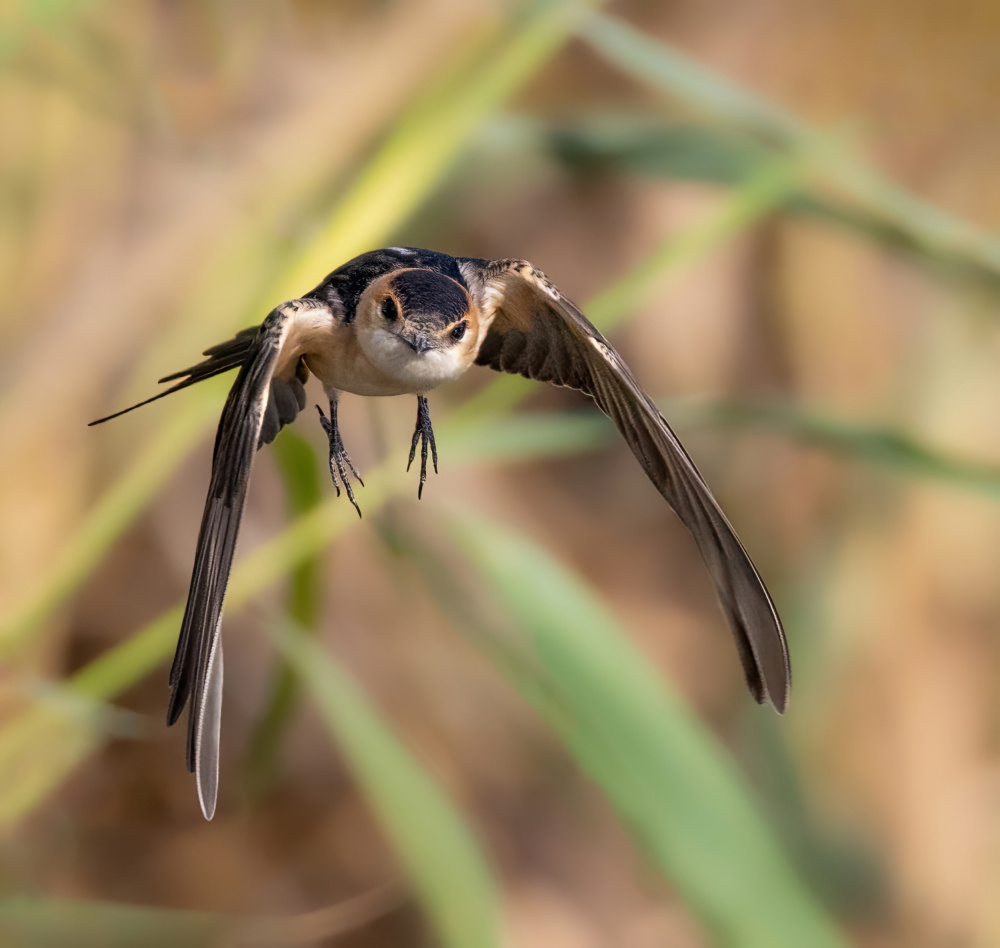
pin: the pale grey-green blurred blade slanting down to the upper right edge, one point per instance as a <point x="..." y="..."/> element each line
<point x="881" y="204"/>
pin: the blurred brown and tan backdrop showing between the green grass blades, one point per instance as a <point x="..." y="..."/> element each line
<point x="135" y="150"/>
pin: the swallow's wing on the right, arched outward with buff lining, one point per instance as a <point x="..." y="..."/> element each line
<point x="537" y="332"/>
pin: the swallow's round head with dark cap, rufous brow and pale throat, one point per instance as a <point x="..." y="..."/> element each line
<point x="416" y="324"/>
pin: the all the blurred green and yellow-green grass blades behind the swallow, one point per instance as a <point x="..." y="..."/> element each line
<point x="668" y="777"/>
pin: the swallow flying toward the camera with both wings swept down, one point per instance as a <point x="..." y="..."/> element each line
<point x="402" y="321"/>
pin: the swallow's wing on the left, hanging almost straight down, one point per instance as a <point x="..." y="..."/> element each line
<point x="196" y="674"/>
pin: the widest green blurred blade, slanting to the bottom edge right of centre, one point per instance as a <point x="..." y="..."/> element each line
<point x="664" y="772"/>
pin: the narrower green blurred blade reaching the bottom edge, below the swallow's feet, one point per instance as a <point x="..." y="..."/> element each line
<point x="444" y="863"/>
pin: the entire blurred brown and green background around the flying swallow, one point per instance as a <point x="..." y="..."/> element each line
<point x="512" y="713"/>
